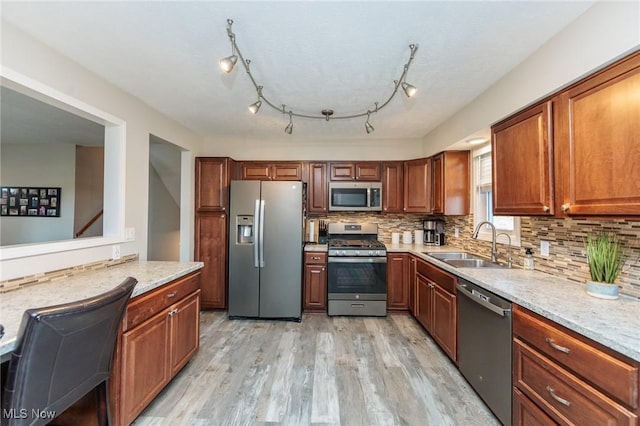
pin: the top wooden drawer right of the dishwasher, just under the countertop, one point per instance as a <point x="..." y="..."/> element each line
<point x="614" y="376"/>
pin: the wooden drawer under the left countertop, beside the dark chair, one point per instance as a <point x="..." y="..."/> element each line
<point x="149" y="304"/>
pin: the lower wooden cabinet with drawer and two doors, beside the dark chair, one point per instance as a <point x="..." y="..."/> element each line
<point x="161" y="332"/>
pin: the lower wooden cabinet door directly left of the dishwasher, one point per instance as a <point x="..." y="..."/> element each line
<point x="443" y="327"/>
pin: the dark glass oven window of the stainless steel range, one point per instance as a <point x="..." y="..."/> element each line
<point x="358" y="278"/>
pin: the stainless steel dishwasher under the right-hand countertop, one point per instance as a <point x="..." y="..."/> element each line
<point x="484" y="346"/>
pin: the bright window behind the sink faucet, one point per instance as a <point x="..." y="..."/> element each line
<point x="483" y="202"/>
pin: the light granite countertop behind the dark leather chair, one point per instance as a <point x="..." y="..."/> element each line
<point x="81" y="286"/>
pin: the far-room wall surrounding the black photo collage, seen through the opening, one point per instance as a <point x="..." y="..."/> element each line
<point x="39" y="166"/>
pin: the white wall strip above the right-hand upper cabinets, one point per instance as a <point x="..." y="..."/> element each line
<point x="603" y="33"/>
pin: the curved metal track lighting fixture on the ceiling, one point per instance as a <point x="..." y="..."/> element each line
<point x="229" y="62"/>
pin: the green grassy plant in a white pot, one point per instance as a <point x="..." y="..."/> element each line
<point x="605" y="258"/>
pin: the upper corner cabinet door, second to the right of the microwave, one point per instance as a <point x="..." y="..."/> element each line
<point x="417" y="186"/>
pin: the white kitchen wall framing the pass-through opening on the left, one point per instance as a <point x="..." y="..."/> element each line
<point x="33" y="59"/>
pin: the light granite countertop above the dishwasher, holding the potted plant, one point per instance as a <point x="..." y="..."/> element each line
<point x="613" y="323"/>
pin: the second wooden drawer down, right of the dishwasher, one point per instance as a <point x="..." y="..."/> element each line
<point x="562" y="395"/>
